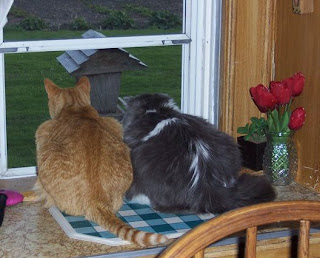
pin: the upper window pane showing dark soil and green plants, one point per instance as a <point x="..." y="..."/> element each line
<point x="54" y="19"/>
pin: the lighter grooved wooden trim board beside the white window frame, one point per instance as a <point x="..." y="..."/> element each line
<point x="247" y="56"/>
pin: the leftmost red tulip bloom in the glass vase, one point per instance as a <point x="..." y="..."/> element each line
<point x="262" y="97"/>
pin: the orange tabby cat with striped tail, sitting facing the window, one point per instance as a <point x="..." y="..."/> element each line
<point x="84" y="167"/>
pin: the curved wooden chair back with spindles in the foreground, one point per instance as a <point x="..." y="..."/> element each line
<point x="196" y="240"/>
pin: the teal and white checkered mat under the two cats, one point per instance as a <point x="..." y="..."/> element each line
<point x="142" y="217"/>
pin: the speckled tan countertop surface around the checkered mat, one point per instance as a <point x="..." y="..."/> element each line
<point x="29" y="230"/>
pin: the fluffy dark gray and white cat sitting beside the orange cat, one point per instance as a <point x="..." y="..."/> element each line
<point x="181" y="163"/>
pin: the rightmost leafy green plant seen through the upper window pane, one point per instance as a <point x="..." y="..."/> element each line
<point x="164" y="20"/>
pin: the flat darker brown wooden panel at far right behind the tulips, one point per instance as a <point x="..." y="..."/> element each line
<point x="297" y="48"/>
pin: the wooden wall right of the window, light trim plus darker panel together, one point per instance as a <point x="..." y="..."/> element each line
<point x="265" y="40"/>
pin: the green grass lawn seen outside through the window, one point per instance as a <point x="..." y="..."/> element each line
<point x="26" y="99"/>
